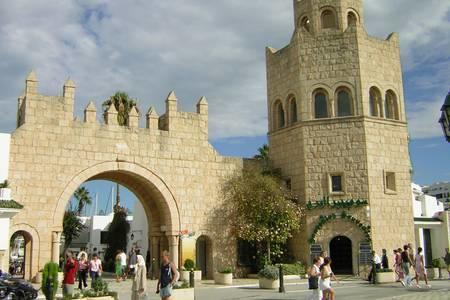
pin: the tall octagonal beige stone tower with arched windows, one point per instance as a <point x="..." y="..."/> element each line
<point x="338" y="131"/>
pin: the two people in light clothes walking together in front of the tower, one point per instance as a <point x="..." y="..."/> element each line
<point x="320" y="276"/>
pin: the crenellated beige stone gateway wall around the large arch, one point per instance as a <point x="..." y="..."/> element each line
<point x="169" y="165"/>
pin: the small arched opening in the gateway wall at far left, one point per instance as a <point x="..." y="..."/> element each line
<point x="20" y="247"/>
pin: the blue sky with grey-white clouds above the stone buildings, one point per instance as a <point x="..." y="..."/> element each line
<point x="210" y="48"/>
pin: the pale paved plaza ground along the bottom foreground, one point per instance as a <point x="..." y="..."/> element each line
<point x="297" y="289"/>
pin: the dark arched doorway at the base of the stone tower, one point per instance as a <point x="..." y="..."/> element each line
<point x="341" y="255"/>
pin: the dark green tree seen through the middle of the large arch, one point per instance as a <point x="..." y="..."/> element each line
<point x="117" y="233"/>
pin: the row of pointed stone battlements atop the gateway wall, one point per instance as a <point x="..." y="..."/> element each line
<point x="35" y="108"/>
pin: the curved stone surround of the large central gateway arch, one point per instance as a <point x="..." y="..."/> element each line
<point x="154" y="194"/>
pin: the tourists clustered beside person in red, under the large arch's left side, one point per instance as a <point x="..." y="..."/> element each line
<point x="80" y="267"/>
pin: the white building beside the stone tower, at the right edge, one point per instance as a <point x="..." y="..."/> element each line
<point x="431" y="224"/>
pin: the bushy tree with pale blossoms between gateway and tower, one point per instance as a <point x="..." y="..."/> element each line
<point x="259" y="210"/>
